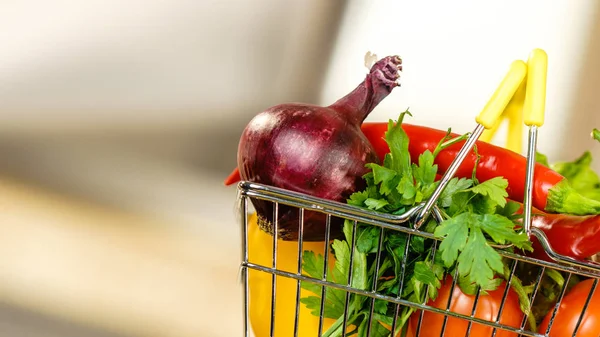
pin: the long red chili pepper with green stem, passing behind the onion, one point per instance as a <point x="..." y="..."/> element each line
<point x="551" y="191"/>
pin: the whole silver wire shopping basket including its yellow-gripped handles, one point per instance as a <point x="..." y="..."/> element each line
<point x="407" y="224"/>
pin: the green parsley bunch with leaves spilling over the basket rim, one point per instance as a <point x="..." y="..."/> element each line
<point x="477" y="214"/>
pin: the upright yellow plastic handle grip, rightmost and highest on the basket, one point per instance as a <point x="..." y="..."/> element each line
<point x="535" y="97"/>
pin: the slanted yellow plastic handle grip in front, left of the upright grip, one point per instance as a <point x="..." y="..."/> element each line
<point x="503" y="94"/>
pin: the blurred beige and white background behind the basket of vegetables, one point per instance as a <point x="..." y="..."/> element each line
<point x="120" y="120"/>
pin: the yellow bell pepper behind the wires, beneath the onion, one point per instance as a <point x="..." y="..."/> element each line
<point x="260" y="251"/>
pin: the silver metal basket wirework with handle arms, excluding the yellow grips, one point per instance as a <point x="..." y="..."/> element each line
<point x="407" y="224"/>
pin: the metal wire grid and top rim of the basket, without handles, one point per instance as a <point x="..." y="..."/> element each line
<point x="357" y="215"/>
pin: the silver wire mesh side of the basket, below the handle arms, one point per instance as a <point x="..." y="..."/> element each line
<point x="359" y="217"/>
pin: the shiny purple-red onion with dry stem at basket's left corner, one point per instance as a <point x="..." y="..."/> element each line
<point x="320" y="151"/>
